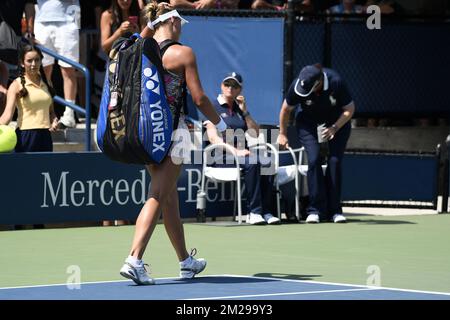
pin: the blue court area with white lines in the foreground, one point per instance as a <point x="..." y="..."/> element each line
<point x="215" y="287"/>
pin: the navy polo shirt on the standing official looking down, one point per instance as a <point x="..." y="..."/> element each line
<point x="326" y="107"/>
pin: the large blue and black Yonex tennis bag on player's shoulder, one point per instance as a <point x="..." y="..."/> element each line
<point x="135" y="121"/>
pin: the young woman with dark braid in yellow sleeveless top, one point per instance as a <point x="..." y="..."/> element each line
<point x="33" y="97"/>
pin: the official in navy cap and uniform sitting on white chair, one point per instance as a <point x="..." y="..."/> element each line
<point x="231" y="106"/>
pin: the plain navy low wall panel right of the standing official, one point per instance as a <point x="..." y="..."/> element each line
<point x="389" y="177"/>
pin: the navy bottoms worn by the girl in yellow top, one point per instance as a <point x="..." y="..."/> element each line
<point x="34" y="140"/>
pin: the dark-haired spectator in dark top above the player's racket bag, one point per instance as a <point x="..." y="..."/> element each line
<point x="120" y="20"/>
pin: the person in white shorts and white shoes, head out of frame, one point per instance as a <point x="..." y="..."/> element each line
<point x="56" y="27"/>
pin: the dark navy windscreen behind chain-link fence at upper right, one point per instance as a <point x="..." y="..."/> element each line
<point x="398" y="69"/>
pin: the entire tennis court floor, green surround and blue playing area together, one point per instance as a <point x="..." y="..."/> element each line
<point x="370" y="257"/>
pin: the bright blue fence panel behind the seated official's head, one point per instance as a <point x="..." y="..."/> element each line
<point x="252" y="47"/>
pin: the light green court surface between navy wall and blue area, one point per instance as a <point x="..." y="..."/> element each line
<point x="408" y="252"/>
